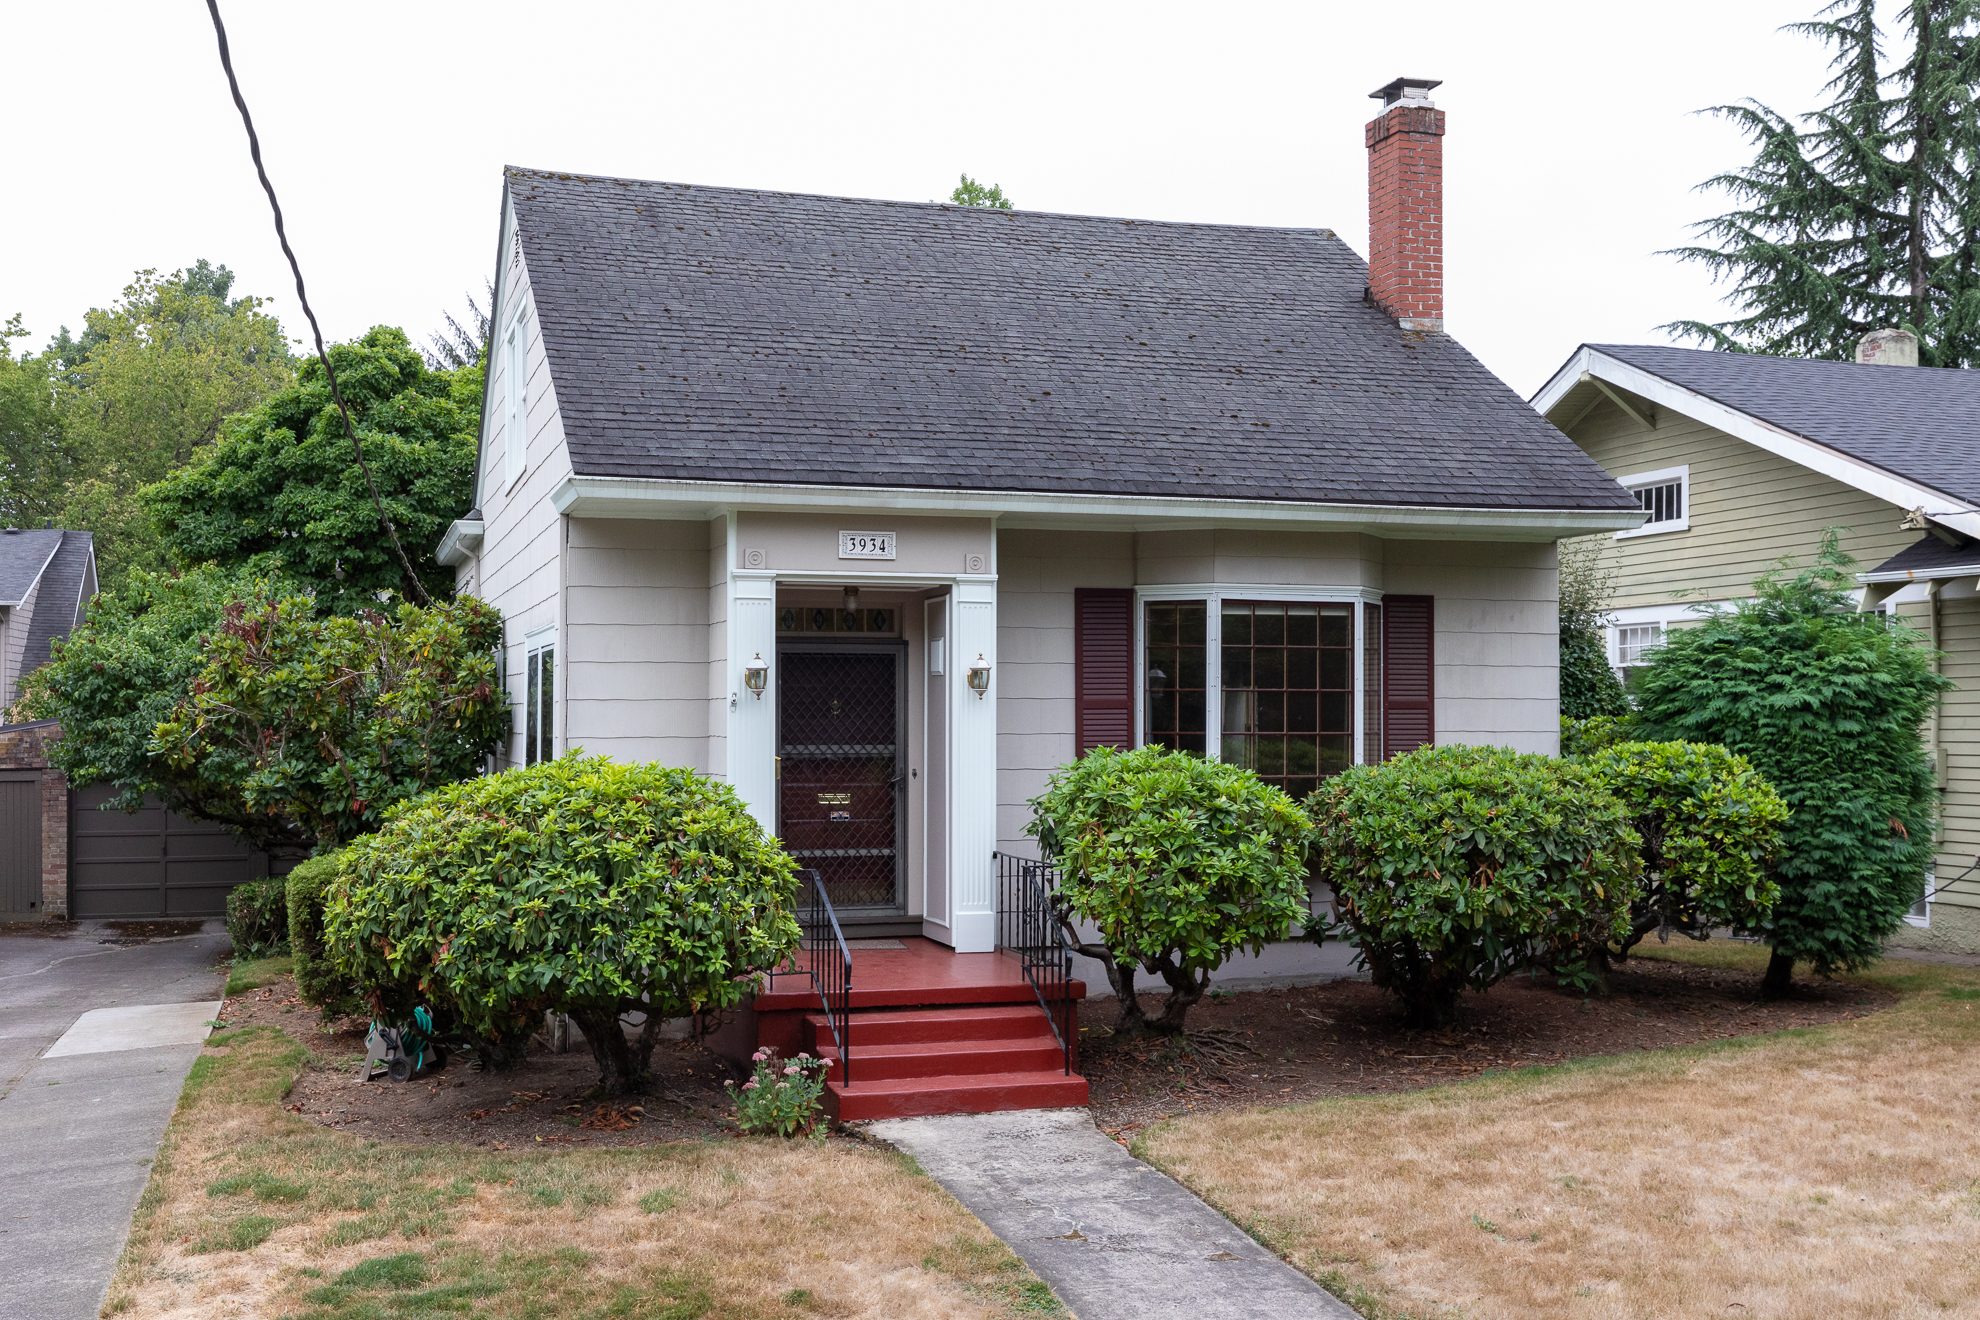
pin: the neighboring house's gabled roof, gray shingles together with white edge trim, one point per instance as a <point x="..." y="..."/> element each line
<point x="1908" y="434"/>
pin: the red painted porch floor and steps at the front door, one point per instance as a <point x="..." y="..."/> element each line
<point x="936" y="1032"/>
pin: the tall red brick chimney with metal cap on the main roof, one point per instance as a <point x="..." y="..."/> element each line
<point x="1407" y="205"/>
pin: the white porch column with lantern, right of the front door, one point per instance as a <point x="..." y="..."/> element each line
<point x="973" y="769"/>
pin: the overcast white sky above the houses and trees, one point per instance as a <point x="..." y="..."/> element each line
<point x="1571" y="155"/>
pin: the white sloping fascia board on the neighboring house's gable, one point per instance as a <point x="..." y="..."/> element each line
<point x="1815" y="456"/>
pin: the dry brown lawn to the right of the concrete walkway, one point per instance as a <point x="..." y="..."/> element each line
<point x="1797" y="1177"/>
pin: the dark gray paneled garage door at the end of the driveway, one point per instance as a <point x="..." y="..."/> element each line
<point x="151" y="864"/>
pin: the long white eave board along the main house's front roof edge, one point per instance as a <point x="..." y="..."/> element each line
<point x="644" y="498"/>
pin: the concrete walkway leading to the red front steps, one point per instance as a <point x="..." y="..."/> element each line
<point x="1112" y="1236"/>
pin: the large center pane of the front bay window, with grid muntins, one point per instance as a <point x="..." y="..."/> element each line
<point x="1288" y="684"/>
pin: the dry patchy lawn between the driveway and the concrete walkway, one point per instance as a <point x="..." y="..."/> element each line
<point x="252" y="1212"/>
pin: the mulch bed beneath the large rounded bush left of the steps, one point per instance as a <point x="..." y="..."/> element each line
<point x="542" y="1103"/>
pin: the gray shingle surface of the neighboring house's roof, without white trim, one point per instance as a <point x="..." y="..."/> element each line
<point x="1918" y="423"/>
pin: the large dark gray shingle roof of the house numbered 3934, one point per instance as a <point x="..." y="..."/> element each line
<point x="742" y="335"/>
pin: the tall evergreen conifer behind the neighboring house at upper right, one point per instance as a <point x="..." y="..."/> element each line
<point x="1866" y="215"/>
